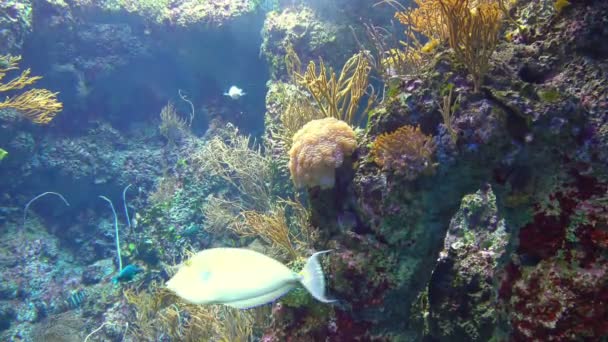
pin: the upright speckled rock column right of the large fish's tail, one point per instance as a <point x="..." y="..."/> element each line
<point x="462" y="293"/>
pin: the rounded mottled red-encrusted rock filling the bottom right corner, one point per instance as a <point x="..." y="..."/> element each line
<point x="557" y="303"/>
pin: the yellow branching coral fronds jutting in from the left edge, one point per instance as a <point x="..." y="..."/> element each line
<point x="38" y="105"/>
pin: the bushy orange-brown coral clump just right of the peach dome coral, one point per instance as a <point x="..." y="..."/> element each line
<point x="406" y="151"/>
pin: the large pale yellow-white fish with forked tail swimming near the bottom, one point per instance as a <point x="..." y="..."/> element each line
<point x="243" y="278"/>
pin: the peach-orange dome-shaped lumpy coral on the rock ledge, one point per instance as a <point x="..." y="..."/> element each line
<point x="318" y="149"/>
